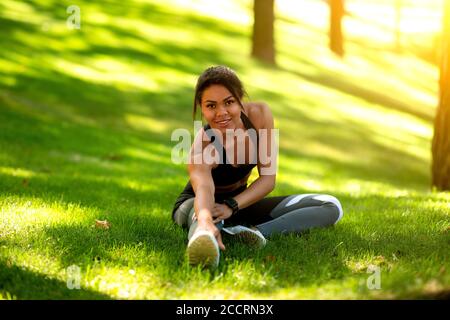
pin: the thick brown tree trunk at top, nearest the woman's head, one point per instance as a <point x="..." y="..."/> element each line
<point x="263" y="40"/>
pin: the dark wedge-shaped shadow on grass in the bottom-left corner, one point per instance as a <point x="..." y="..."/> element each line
<point x="40" y="286"/>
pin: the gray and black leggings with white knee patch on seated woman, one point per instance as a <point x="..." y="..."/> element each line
<point x="288" y="214"/>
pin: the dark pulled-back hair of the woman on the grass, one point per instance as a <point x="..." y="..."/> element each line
<point x="221" y="75"/>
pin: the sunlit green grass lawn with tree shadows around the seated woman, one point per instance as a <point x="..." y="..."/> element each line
<point x="85" y="123"/>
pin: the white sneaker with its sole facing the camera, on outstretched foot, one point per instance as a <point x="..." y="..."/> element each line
<point x="203" y="249"/>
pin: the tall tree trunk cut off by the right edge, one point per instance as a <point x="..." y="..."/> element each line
<point x="441" y="138"/>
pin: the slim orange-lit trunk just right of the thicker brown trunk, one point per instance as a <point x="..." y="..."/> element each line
<point x="336" y="37"/>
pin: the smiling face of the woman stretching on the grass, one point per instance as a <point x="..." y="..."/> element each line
<point x="220" y="108"/>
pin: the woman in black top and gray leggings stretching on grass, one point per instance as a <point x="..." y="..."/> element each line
<point x="238" y="137"/>
